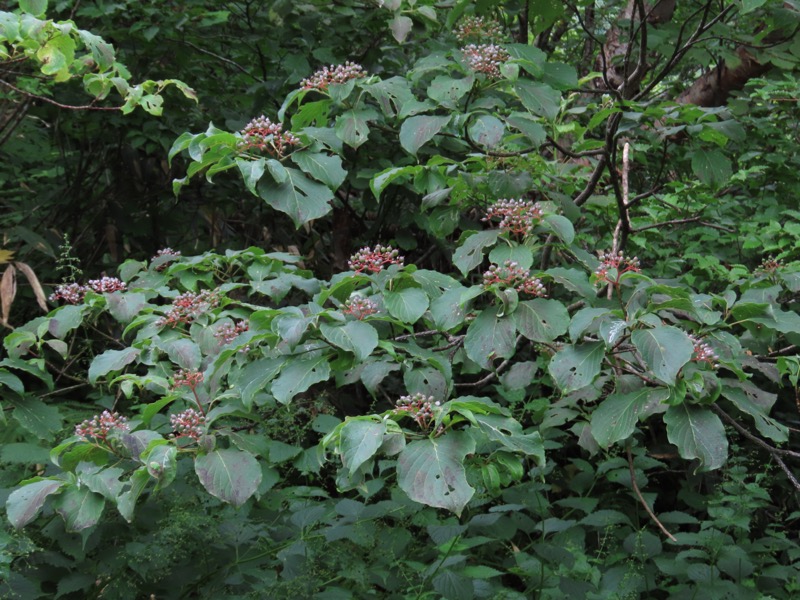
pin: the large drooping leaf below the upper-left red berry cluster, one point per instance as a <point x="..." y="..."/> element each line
<point x="299" y="197"/>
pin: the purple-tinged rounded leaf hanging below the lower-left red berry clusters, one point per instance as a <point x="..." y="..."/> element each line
<point x="230" y="475"/>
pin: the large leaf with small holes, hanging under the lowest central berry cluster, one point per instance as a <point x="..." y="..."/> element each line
<point x="431" y="471"/>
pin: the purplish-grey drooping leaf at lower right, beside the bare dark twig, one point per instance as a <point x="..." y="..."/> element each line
<point x="698" y="433"/>
